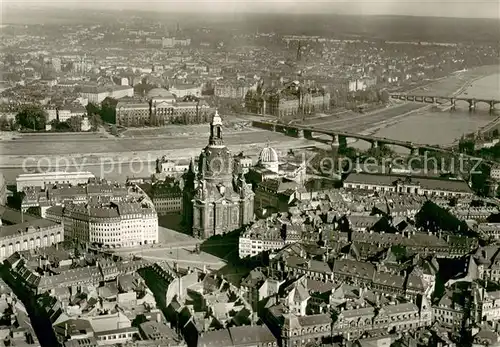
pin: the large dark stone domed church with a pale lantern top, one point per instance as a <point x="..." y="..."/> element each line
<point x="215" y="200"/>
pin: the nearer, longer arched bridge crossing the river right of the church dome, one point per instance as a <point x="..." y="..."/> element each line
<point x="308" y="132"/>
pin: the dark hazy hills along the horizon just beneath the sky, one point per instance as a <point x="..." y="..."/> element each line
<point x="327" y="25"/>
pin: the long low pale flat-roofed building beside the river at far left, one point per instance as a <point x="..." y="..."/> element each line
<point x="56" y="177"/>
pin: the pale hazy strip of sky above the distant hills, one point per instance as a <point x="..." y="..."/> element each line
<point x="445" y="8"/>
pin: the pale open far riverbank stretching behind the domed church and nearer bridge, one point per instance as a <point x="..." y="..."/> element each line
<point x="145" y="145"/>
